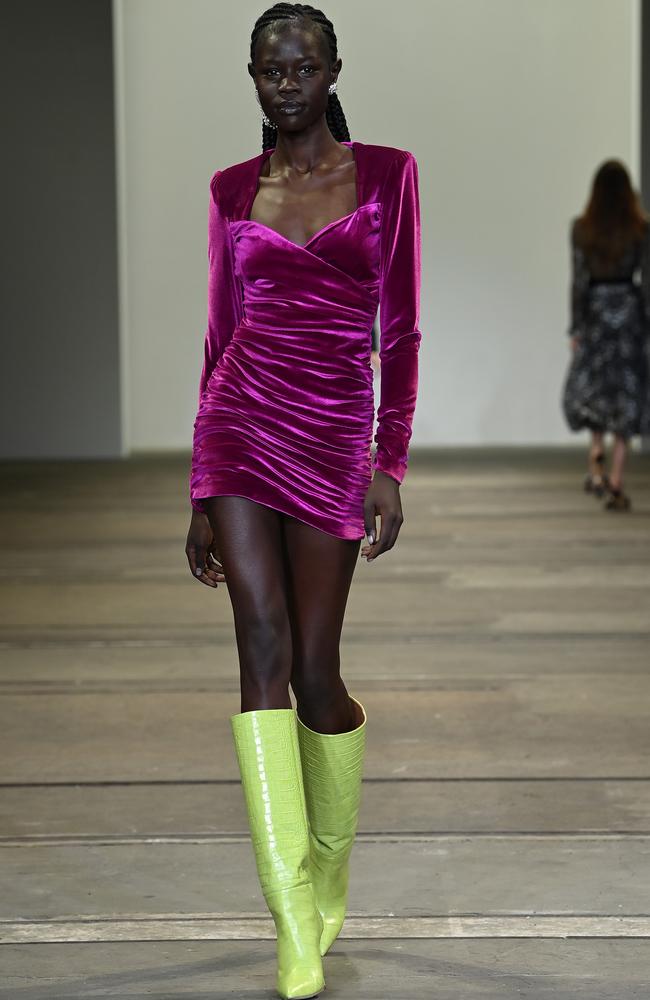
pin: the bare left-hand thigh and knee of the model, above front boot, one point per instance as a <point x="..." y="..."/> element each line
<point x="250" y="543"/>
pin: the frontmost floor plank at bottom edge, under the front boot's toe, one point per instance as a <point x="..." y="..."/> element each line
<point x="375" y="970"/>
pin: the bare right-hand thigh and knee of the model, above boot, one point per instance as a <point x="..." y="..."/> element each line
<point x="319" y="569"/>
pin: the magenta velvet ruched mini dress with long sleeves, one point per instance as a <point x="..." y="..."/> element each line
<point x="286" y="403"/>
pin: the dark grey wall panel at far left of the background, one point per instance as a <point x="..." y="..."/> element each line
<point x="59" y="374"/>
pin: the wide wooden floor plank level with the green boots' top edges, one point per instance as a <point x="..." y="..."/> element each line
<point x="537" y="727"/>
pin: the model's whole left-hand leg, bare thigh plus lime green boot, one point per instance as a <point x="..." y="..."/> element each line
<point x="249" y="541"/>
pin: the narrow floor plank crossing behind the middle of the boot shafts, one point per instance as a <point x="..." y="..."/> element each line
<point x="459" y="806"/>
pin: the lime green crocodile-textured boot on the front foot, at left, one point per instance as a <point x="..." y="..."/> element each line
<point x="269" y="761"/>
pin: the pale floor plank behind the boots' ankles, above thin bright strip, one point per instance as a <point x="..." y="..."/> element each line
<point x="437" y="875"/>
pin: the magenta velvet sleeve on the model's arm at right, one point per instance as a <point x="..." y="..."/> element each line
<point x="399" y="309"/>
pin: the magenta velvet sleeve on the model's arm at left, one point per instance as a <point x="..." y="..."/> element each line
<point x="224" y="293"/>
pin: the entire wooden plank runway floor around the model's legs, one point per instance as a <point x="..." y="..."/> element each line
<point x="502" y="652"/>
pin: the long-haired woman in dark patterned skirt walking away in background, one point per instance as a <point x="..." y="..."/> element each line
<point x="606" y="390"/>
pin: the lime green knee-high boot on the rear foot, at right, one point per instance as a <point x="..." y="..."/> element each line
<point x="332" y="767"/>
